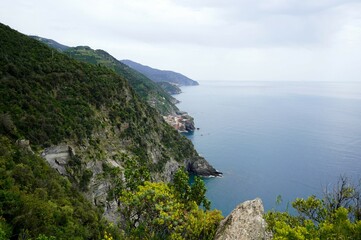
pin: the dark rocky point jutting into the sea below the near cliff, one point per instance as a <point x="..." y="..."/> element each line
<point x="200" y="167"/>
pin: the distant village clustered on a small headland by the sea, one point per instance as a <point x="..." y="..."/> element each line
<point x="180" y="121"/>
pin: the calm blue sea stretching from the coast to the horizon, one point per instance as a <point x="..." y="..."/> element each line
<point x="275" y="138"/>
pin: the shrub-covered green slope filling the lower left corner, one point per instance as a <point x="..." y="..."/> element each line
<point x="35" y="200"/>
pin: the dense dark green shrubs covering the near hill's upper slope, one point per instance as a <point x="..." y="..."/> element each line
<point x="48" y="96"/>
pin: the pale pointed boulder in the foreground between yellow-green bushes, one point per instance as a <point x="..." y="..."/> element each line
<point x="245" y="222"/>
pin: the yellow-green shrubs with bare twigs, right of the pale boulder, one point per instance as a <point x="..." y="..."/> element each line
<point x="336" y="216"/>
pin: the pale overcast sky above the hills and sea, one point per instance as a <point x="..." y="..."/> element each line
<point x="313" y="40"/>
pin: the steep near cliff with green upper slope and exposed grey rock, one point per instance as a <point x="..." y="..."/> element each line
<point x="85" y="120"/>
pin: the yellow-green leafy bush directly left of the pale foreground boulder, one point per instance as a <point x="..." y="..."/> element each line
<point x="162" y="211"/>
